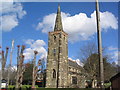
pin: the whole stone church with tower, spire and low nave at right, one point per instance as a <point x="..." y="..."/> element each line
<point x="61" y="72"/>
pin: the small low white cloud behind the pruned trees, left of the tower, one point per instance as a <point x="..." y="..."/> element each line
<point x="38" y="45"/>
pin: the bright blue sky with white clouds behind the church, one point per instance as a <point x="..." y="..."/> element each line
<point x="28" y="23"/>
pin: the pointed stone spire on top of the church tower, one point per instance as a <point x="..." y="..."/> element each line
<point x="58" y="22"/>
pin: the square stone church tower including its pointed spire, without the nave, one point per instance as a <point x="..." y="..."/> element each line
<point x="57" y="60"/>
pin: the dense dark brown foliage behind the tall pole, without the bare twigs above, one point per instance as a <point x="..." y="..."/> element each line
<point x="92" y="67"/>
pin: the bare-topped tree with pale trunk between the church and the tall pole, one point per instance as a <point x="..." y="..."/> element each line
<point x="89" y="56"/>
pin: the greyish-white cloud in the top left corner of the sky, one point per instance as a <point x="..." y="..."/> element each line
<point x="10" y="14"/>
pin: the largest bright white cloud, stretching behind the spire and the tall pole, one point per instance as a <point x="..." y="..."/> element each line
<point x="79" y="26"/>
